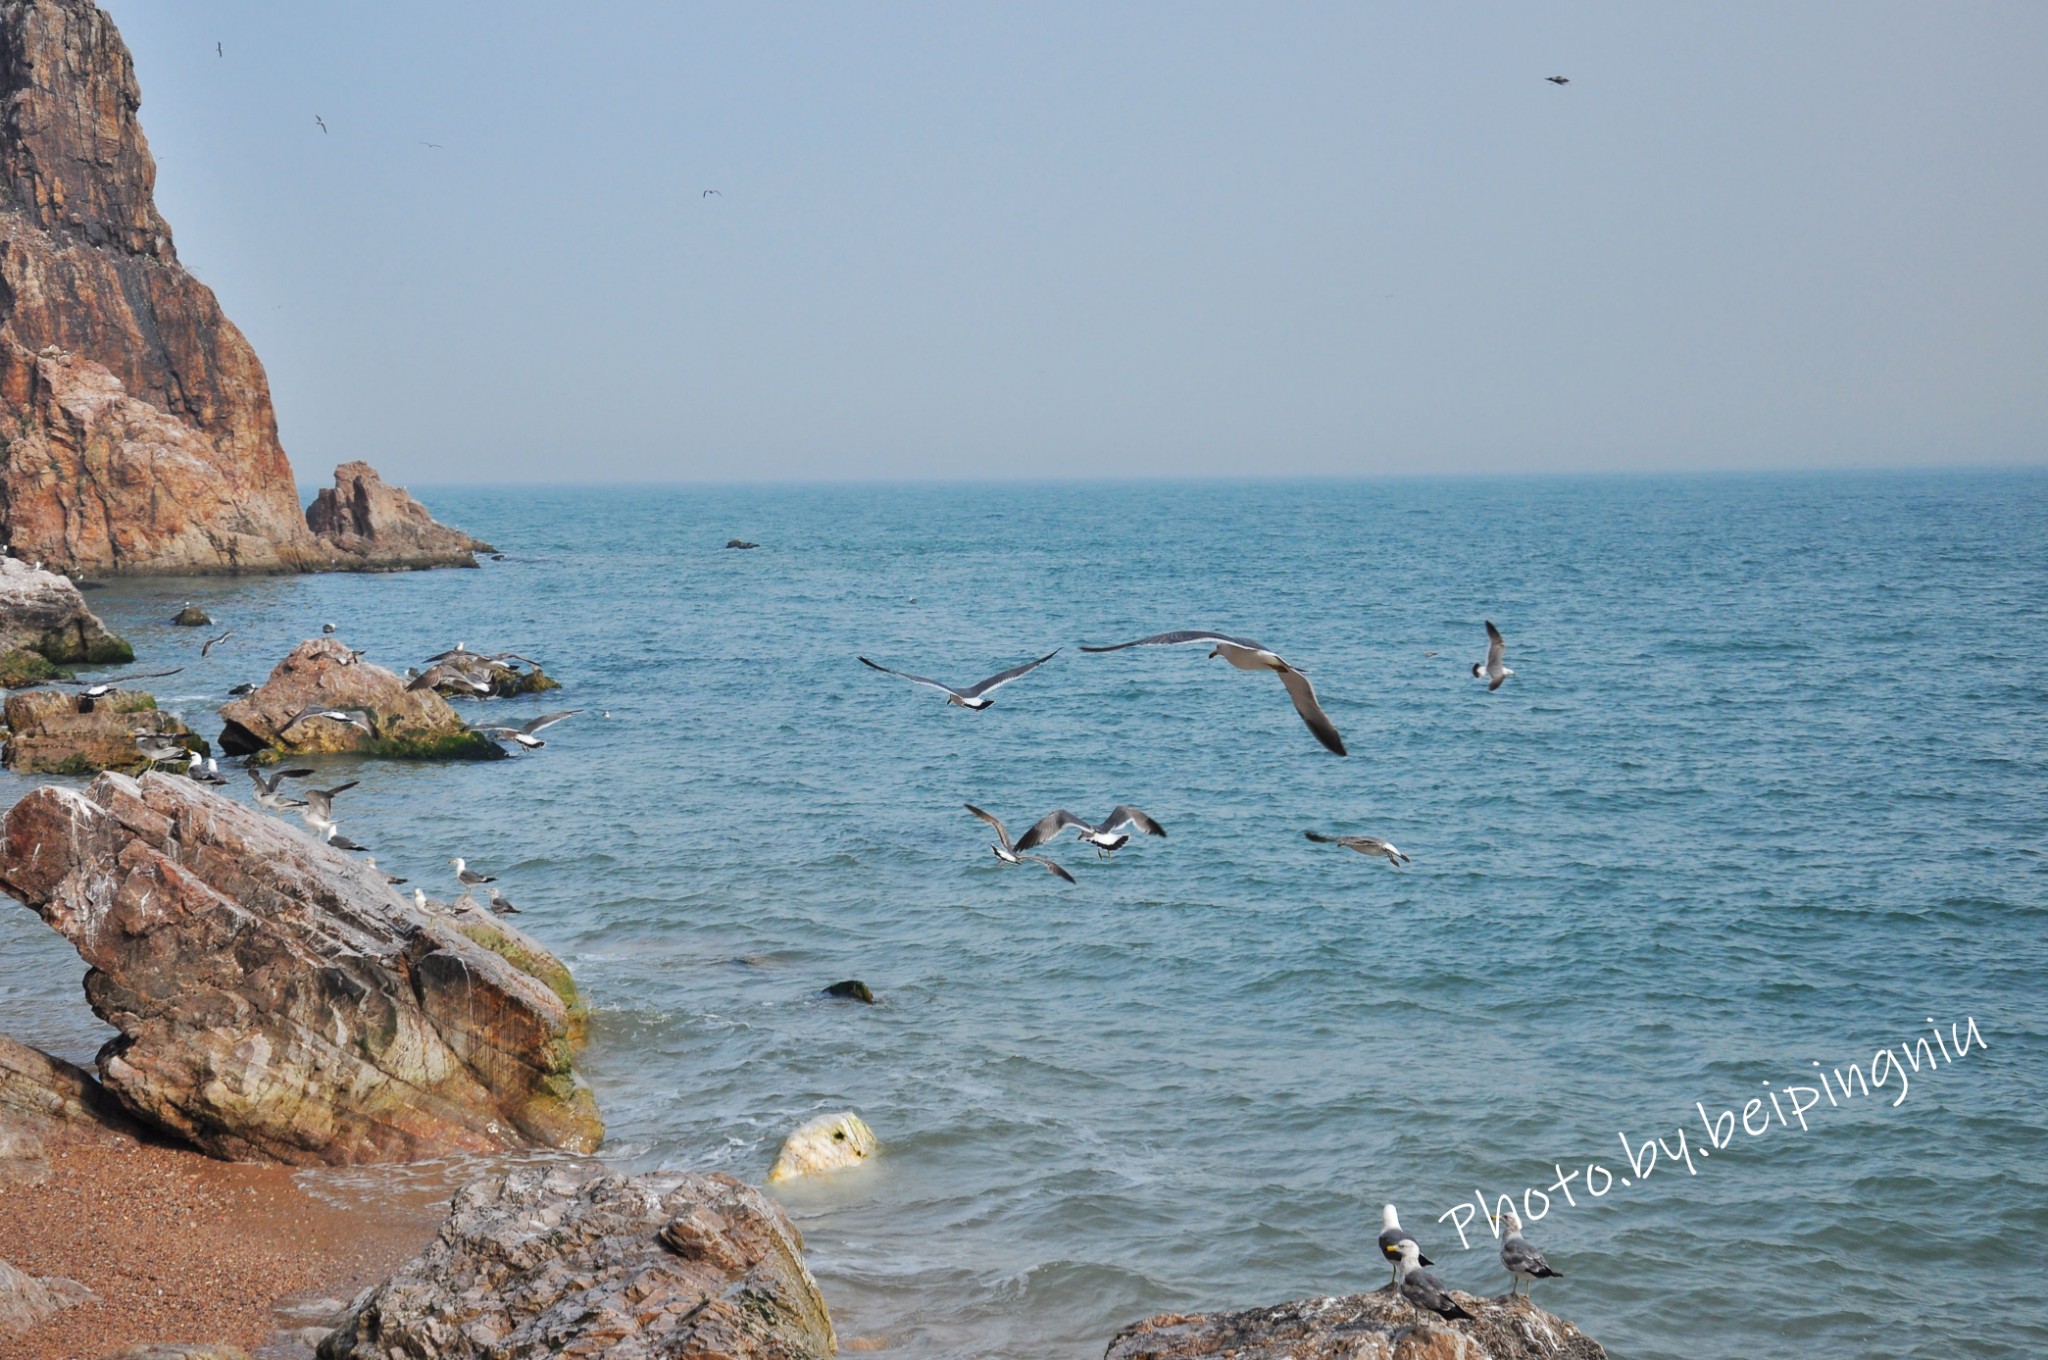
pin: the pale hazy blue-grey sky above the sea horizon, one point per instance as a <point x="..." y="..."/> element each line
<point x="1043" y="241"/>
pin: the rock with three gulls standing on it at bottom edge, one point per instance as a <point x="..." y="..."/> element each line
<point x="1379" y="1326"/>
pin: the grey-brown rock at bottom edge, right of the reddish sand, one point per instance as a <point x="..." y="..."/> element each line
<point x="568" y="1263"/>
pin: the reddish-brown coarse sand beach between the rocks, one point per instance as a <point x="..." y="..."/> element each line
<point x="183" y="1248"/>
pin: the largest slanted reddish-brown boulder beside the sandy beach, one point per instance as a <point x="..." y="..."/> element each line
<point x="280" y="1001"/>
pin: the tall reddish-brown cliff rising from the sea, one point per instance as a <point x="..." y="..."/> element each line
<point x="136" y="427"/>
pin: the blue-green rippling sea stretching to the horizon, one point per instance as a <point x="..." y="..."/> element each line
<point x="1768" y="790"/>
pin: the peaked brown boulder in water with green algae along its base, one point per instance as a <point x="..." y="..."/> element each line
<point x="327" y="675"/>
